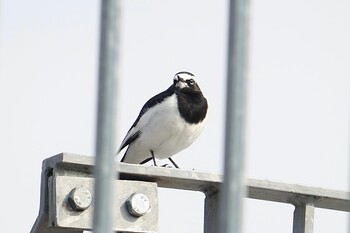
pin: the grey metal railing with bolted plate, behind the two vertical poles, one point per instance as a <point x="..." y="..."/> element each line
<point x="65" y="172"/>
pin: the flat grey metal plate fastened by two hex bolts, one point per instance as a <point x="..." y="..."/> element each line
<point x="63" y="215"/>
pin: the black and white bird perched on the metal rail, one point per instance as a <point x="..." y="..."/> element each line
<point x="167" y="123"/>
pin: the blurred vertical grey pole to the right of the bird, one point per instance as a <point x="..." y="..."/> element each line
<point x="233" y="189"/>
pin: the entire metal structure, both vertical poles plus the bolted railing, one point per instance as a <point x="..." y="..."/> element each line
<point x="67" y="180"/>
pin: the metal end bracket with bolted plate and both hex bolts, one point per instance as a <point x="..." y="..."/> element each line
<point x="66" y="204"/>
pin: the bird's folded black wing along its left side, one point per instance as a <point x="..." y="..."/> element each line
<point x="135" y="130"/>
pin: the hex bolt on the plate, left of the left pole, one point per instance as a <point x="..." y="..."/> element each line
<point x="80" y="199"/>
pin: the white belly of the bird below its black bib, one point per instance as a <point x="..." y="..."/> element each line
<point x="163" y="131"/>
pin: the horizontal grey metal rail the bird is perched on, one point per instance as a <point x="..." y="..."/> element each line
<point x="209" y="183"/>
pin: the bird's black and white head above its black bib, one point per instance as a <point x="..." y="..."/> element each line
<point x="184" y="82"/>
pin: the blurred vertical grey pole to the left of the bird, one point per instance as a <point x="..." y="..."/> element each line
<point x="106" y="117"/>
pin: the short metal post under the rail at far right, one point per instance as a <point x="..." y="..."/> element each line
<point x="303" y="221"/>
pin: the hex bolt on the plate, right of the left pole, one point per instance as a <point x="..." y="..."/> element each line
<point x="138" y="204"/>
